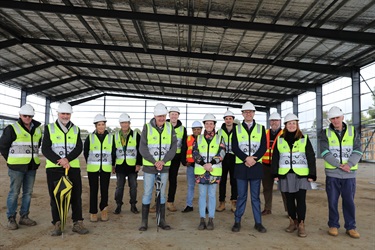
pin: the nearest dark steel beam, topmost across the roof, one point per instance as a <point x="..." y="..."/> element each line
<point x="338" y="35"/>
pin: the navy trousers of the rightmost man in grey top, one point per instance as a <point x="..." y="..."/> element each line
<point x="346" y="188"/>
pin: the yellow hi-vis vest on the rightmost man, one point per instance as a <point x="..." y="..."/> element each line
<point x="341" y="150"/>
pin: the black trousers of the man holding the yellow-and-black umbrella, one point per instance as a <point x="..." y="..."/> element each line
<point x="53" y="176"/>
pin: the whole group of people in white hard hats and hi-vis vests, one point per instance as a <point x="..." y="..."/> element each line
<point x="246" y="150"/>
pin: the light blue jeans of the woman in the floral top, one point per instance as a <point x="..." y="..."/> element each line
<point x="203" y="190"/>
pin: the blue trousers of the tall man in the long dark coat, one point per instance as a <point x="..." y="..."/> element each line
<point x="242" y="198"/>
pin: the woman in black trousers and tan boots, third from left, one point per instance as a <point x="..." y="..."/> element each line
<point x="100" y="154"/>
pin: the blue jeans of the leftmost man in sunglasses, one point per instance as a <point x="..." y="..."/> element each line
<point x="18" y="179"/>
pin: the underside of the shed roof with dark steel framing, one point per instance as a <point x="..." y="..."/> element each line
<point x="222" y="52"/>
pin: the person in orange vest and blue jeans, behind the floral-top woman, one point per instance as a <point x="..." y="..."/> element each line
<point x="188" y="161"/>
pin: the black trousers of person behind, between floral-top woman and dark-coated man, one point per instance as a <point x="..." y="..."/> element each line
<point x="228" y="167"/>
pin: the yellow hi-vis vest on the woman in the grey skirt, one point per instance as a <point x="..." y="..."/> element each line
<point x="295" y="158"/>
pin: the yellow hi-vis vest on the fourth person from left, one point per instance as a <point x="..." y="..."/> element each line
<point x="131" y="149"/>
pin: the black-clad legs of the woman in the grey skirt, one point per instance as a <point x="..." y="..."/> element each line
<point x="296" y="203"/>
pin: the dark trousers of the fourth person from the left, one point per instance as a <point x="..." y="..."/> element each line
<point x="132" y="183"/>
